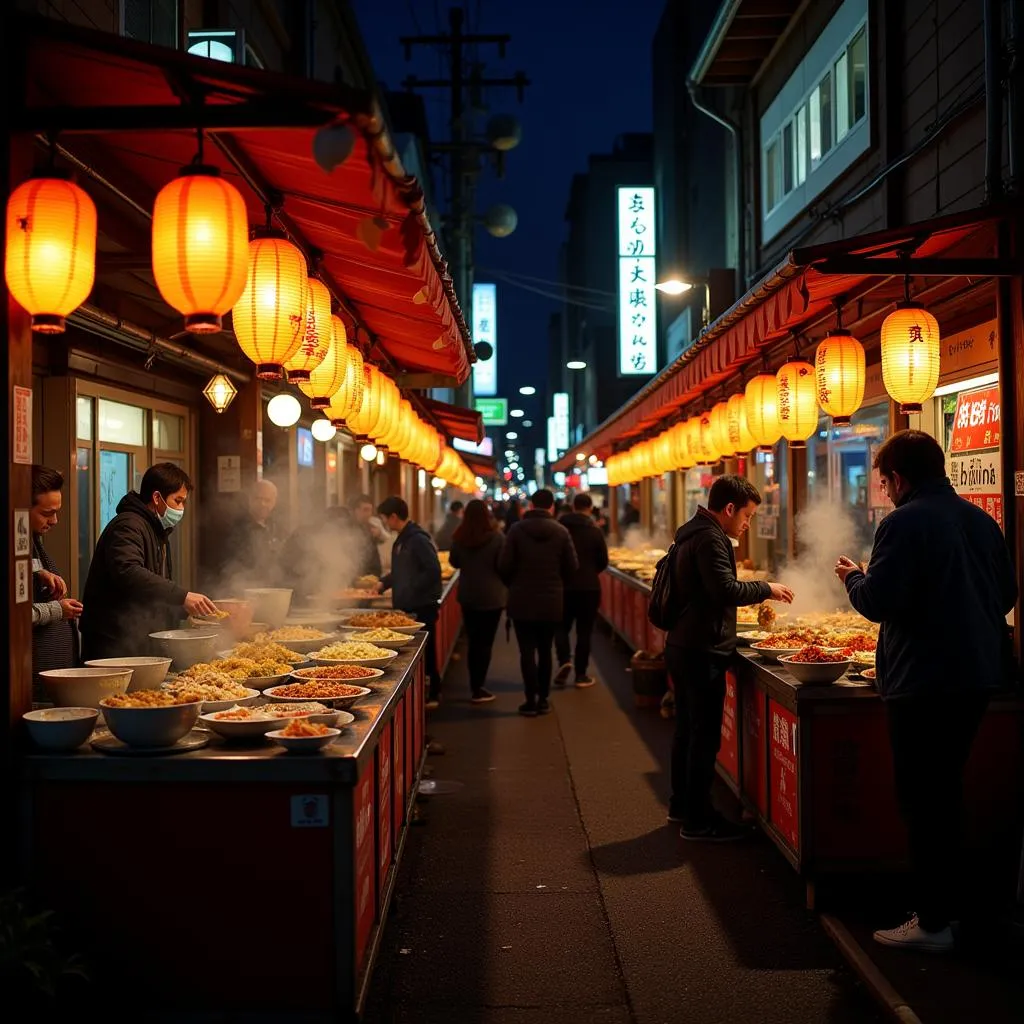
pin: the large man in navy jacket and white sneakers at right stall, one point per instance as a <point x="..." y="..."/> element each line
<point x="937" y="560"/>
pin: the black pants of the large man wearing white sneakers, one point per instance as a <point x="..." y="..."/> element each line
<point x="931" y="741"/>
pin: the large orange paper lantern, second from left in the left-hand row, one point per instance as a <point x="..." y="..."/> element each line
<point x="200" y="247"/>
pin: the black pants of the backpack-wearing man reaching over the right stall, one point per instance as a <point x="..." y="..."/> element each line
<point x="700" y="684"/>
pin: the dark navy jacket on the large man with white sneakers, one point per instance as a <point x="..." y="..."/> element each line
<point x="942" y="584"/>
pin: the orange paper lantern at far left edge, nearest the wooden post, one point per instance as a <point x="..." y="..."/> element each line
<point x="51" y="260"/>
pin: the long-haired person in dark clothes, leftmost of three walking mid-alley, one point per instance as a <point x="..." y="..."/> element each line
<point x="477" y="547"/>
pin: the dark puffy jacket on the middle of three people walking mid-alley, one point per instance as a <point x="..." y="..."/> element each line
<point x="537" y="563"/>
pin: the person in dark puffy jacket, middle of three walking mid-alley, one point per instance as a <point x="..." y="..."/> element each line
<point x="537" y="563"/>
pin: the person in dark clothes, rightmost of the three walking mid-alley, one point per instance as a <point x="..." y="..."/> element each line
<point x="583" y="592"/>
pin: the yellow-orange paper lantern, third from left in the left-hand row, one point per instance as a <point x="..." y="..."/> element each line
<point x="271" y="316"/>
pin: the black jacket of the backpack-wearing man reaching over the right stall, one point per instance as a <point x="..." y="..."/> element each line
<point x="706" y="589"/>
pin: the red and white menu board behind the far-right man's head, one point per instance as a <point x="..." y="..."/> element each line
<point x="974" y="461"/>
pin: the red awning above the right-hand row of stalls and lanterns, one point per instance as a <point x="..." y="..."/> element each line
<point x="796" y="298"/>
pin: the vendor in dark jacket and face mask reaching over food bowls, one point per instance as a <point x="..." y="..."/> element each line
<point x="131" y="592"/>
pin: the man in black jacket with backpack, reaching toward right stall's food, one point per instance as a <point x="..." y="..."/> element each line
<point x="706" y="592"/>
